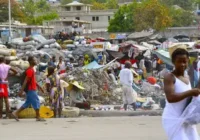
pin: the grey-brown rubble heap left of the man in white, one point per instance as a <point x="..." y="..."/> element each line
<point x="98" y="88"/>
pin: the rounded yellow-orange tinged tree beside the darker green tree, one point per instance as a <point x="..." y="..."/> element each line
<point x="151" y="14"/>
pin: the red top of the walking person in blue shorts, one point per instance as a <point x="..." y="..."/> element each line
<point x="30" y="73"/>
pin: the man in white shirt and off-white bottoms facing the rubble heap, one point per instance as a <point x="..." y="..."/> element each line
<point x="126" y="79"/>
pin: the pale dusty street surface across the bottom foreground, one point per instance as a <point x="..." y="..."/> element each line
<point x="113" y="128"/>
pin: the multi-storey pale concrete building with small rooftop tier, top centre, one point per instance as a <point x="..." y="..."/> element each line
<point x="78" y="13"/>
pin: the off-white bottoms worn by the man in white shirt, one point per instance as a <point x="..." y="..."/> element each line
<point x="129" y="95"/>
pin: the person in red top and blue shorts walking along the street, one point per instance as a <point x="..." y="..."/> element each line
<point x="31" y="95"/>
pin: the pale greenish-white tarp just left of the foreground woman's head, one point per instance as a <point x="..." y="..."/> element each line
<point x="164" y="56"/>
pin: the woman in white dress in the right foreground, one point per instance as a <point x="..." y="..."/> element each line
<point x="178" y="93"/>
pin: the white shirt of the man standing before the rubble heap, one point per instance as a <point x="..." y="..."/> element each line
<point x="126" y="77"/>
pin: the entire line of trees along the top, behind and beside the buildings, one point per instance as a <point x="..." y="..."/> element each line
<point x="137" y="16"/>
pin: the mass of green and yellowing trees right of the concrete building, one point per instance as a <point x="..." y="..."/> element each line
<point x="153" y="14"/>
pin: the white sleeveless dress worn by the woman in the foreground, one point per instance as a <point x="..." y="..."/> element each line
<point x="172" y="120"/>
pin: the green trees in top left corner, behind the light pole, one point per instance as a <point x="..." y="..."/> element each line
<point x="31" y="12"/>
